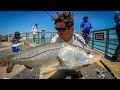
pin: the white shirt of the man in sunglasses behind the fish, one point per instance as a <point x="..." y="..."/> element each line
<point x="76" y="40"/>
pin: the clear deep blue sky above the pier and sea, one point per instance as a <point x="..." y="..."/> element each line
<point x="22" y="21"/>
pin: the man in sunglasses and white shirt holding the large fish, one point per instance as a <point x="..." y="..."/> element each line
<point x="64" y="25"/>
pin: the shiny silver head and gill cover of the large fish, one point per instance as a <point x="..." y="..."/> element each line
<point x="73" y="56"/>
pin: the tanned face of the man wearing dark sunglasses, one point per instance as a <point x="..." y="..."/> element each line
<point x="63" y="31"/>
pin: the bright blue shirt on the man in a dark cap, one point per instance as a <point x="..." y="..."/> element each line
<point x="85" y="27"/>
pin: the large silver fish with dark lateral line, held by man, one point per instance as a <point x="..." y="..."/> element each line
<point x="69" y="56"/>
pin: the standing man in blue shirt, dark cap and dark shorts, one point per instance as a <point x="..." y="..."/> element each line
<point x="85" y="27"/>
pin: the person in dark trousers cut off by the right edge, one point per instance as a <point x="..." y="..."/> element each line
<point x="117" y="21"/>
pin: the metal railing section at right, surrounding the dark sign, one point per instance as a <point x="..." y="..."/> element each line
<point x="107" y="45"/>
